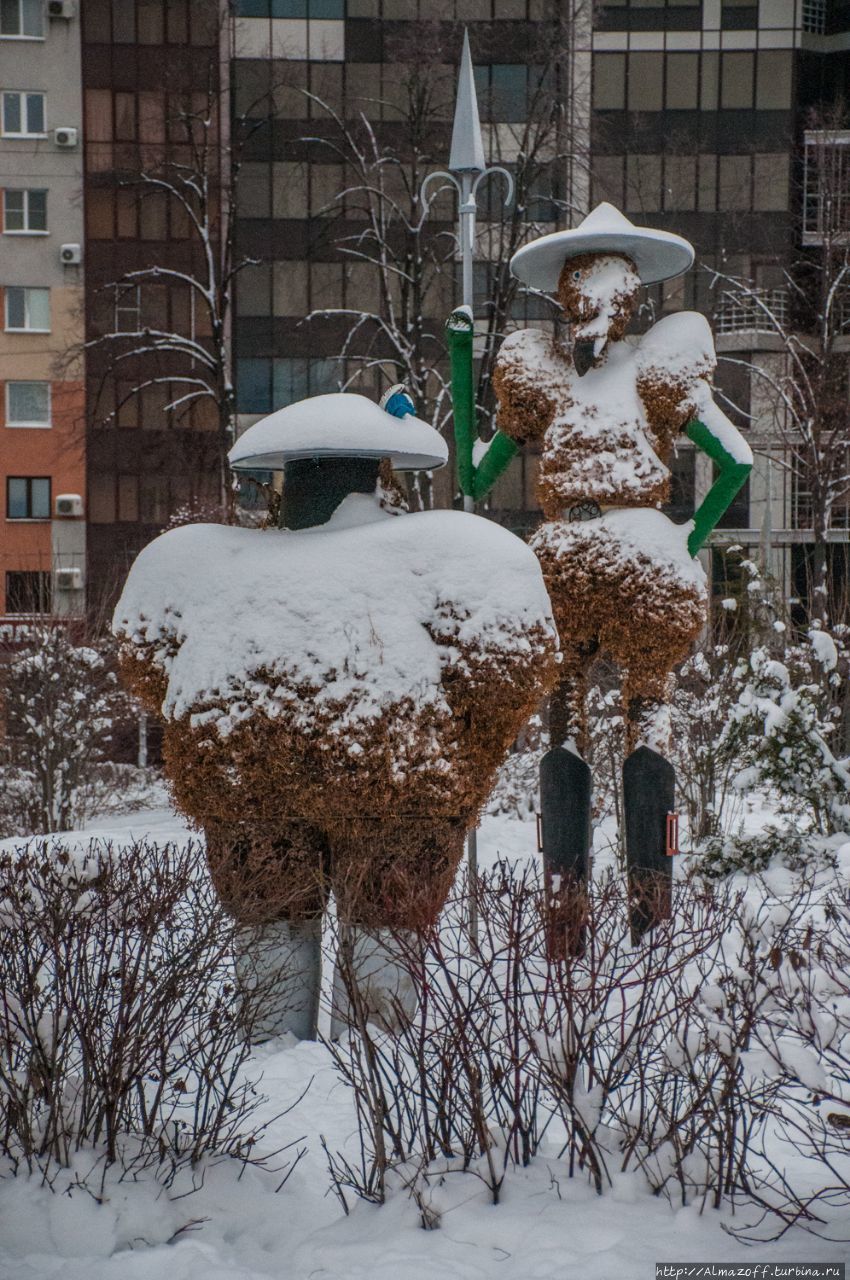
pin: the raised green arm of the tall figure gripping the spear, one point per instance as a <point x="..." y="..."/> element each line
<point x="474" y="482"/>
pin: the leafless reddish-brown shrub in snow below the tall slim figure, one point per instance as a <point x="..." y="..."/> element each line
<point x="670" y="1058"/>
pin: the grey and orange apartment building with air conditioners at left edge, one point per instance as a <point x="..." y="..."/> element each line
<point x="43" y="463"/>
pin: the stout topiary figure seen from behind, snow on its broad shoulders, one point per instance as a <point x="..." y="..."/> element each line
<point x="339" y="693"/>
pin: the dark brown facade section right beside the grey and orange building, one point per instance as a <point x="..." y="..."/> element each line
<point x="147" y="66"/>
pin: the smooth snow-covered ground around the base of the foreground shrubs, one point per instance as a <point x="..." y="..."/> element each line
<point x="239" y="1227"/>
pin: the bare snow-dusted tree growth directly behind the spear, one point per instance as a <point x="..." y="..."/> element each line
<point x="412" y="246"/>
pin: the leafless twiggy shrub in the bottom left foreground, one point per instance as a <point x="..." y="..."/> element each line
<point x="121" y="1028"/>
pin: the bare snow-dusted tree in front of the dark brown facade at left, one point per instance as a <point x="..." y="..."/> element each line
<point x="185" y="349"/>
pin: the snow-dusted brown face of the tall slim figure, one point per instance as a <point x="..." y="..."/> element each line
<point x="598" y="294"/>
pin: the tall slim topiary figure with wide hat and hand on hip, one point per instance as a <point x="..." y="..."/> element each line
<point x="606" y="410"/>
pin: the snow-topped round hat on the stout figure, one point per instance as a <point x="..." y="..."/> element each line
<point x="340" y="426"/>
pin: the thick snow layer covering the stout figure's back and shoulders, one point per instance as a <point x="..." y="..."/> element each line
<point x="348" y="611"/>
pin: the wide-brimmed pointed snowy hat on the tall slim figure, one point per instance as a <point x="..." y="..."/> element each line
<point x="657" y="255"/>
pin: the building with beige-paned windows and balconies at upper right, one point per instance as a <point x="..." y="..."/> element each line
<point x="705" y="121"/>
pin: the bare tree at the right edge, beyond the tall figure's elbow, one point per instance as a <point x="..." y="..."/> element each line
<point x="807" y="386"/>
